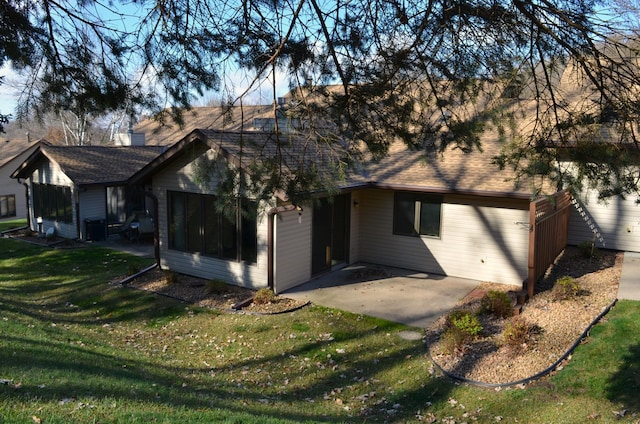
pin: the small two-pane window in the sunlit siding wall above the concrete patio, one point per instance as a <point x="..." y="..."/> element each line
<point x="416" y="214"/>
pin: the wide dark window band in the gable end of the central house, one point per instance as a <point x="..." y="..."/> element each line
<point x="196" y="226"/>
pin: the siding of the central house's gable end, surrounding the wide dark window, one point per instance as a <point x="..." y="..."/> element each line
<point x="179" y="177"/>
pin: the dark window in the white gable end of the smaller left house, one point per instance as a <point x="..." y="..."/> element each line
<point x="53" y="202"/>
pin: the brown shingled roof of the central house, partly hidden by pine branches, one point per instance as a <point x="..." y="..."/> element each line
<point x="403" y="169"/>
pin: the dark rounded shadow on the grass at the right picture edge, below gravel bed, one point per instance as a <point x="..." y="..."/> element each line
<point x="624" y="385"/>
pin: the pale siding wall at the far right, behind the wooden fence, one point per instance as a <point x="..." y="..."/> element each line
<point x="618" y="220"/>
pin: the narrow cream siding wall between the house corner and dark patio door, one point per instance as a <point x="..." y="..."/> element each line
<point x="292" y="258"/>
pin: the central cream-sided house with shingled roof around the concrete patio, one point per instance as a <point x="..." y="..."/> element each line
<point x="451" y="216"/>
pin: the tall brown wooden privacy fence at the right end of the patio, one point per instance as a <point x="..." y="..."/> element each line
<point x="549" y="229"/>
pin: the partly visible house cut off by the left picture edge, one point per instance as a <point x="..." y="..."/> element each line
<point x="13" y="203"/>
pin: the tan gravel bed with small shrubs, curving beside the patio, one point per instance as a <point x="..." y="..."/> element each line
<point x="559" y="323"/>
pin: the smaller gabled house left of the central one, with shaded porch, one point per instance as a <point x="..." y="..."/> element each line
<point x="81" y="191"/>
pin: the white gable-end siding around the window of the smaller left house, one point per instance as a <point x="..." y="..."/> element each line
<point x="48" y="173"/>
